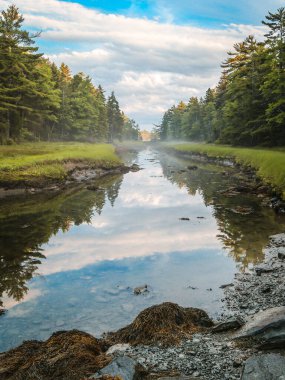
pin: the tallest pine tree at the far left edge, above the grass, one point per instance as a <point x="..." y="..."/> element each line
<point x="18" y="60"/>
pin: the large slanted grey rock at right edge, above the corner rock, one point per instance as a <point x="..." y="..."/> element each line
<point x="265" y="326"/>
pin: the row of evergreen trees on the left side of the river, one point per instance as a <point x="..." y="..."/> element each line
<point x="40" y="101"/>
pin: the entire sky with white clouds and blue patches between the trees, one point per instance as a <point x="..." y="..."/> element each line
<point x="151" y="53"/>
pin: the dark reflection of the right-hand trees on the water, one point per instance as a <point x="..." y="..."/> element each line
<point x="244" y="236"/>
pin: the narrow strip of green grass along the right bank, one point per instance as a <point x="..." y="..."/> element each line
<point x="268" y="163"/>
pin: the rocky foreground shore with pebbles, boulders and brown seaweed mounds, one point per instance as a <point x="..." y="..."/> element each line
<point x="170" y="342"/>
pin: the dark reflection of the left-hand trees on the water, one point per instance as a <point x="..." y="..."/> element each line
<point x="27" y="223"/>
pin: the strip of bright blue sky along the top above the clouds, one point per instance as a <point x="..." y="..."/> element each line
<point x="203" y="12"/>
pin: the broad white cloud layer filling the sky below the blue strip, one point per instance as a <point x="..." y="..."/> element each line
<point x="150" y="65"/>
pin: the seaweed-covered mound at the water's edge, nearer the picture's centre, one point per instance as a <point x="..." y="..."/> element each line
<point x="164" y="324"/>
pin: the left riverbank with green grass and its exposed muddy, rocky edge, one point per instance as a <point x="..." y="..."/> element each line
<point x="39" y="166"/>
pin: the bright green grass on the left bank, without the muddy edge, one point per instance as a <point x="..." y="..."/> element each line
<point x="37" y="162"/>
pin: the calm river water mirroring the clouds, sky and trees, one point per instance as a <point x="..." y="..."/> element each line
<point x="71" y="260"/>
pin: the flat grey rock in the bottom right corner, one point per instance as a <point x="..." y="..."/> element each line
<point x="264" y="367"/>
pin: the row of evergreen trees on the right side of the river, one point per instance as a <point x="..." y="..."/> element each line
<point x="247" y="107"/>
